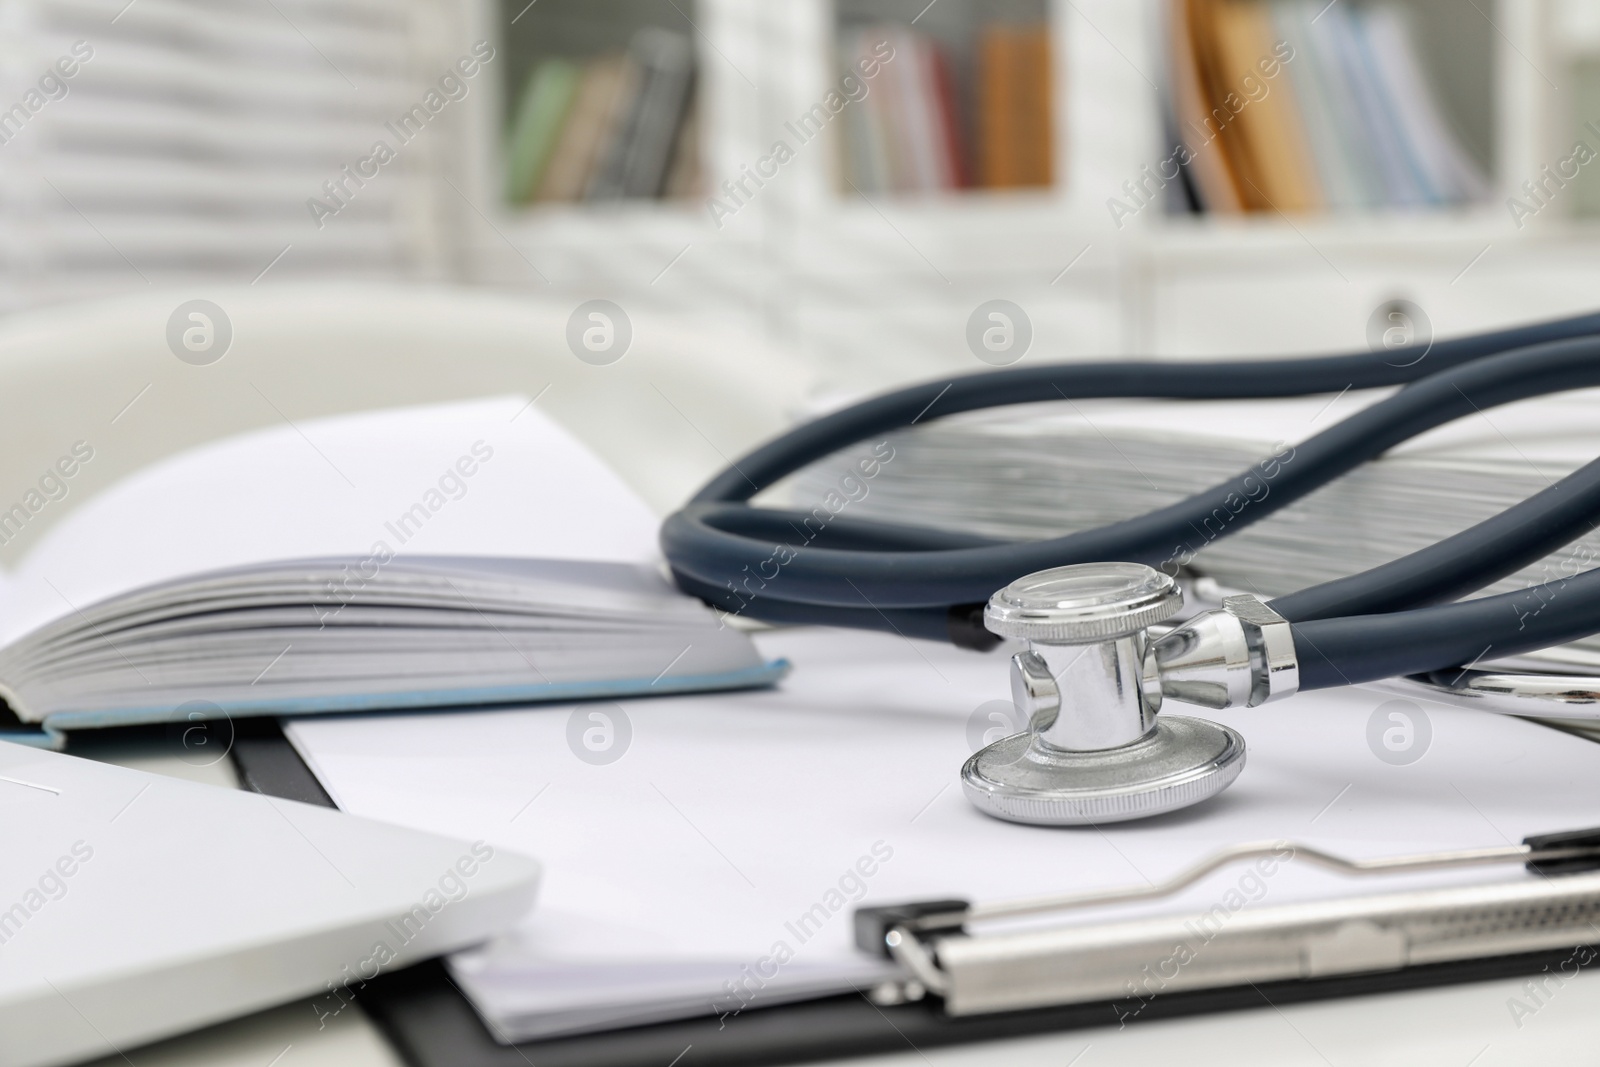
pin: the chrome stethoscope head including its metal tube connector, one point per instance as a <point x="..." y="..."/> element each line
<point x="1090" y="687"/>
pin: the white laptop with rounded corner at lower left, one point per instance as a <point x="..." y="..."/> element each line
<point x="137" y="906"/>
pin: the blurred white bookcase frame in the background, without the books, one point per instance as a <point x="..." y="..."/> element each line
<point x="889" y="281"/>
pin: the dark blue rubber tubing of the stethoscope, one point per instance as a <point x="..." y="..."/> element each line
<point x="910" y="572"/>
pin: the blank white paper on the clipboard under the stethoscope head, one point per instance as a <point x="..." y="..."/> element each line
<point x="684" y="863"/>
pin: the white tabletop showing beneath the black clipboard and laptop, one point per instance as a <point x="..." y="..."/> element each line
<point x="1462" y="1026"/>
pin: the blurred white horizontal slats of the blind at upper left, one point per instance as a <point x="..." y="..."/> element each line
<point x="164" y="142"/>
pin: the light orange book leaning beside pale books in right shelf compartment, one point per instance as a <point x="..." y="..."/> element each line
<point x="1270" y="126"/>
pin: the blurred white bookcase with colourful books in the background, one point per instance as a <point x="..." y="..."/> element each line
<point x="865" y="252"/>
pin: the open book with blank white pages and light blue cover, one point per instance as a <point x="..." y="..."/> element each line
<point x="431" y="557"/>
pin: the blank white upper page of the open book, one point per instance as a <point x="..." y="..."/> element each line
<point x="337" y="487"/>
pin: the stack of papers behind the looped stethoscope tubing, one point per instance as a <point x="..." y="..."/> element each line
<point x="1042" y="471"/>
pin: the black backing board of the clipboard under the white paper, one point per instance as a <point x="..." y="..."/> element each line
<point x="431" y="1023"/>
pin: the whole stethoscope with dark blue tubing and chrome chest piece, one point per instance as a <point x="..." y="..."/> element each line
<point x="1090" y="605"/>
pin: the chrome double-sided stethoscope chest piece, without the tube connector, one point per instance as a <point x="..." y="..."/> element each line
<point x="1090" y="689"/>
